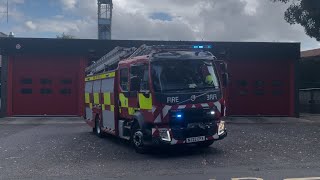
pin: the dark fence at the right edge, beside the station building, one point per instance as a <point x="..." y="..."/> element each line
<point x="310" y="100"/>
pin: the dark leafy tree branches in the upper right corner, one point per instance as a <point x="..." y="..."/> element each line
<point x="306" y="13"/>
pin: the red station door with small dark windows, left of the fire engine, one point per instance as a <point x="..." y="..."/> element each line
<point x="46" y="86"/>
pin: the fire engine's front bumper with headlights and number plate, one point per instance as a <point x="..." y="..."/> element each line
<point x="172" y="136"/>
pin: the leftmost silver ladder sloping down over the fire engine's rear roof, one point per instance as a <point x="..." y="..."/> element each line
<point x="111" y="58"/>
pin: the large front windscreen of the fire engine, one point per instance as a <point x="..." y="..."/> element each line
<point x="182" y="75"/>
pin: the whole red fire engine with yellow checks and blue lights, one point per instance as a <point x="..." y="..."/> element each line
<point x="157" y="95"/>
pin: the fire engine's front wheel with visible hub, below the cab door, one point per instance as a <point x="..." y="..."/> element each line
<point x="137" y="137"/>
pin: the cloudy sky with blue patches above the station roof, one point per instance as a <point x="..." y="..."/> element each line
<point x="208" y="20"/>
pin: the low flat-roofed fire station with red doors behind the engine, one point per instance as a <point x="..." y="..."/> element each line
<point x="46" y="76"/>
